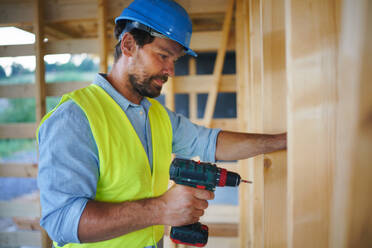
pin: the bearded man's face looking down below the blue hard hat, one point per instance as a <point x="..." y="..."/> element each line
<point x="152" y="65"/>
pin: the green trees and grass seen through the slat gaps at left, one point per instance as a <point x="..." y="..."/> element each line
<point x="23" y="110"/>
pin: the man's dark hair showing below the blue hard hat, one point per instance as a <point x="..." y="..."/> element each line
<point x="141" y="37"/>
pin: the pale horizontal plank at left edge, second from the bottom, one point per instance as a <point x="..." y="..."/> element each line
<point x="19" y="209"/>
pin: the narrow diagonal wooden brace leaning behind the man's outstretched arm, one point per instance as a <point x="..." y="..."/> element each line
<point x="218" y="66"/>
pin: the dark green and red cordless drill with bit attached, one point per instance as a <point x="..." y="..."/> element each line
<point x="203" y="176"/>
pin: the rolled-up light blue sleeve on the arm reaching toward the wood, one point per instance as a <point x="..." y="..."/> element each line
<point x="190" y="140"/>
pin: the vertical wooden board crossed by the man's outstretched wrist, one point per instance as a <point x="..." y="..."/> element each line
<point x="274" y="116"/>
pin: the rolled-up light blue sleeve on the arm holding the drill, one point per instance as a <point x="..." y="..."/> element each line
<point x="68" y="171"/>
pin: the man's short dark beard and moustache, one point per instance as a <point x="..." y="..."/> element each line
<point x="147" y="87"/>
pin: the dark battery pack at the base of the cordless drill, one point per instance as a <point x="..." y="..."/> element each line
<point x="195" y="234"/>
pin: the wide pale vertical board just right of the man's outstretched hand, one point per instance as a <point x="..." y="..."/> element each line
<point x="311" y="52"/>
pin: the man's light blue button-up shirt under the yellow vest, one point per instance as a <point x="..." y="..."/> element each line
<point x="69" y="163"/>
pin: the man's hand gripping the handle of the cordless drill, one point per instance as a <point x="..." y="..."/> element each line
<point x="184" y="205"/>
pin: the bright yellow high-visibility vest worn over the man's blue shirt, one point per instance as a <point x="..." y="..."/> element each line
<point x="125" y="173"/>
